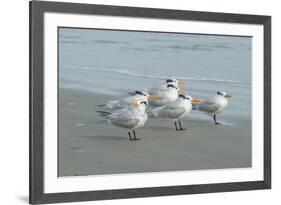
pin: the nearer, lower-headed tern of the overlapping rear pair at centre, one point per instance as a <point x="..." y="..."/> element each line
<point x="165" y="96"/>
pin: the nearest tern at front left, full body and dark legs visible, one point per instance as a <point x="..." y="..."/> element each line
<point x="129" y="118"/>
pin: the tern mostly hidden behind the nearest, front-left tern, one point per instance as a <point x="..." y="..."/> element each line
<point x="126" y="101"/>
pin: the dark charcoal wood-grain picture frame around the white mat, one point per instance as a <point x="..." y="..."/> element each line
<point x="36" y="190"/>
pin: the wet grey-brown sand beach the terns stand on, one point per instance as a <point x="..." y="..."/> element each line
<point x="88" y="146"/>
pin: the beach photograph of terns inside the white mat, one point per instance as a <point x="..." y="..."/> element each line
<point x="132" y="101"/>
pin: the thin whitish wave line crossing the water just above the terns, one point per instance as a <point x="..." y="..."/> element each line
<point x="140" y="75"/>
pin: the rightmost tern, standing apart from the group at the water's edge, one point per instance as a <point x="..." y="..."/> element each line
<point x="213" y="106"/>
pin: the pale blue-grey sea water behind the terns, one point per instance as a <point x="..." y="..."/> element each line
<point x="115" y="62"/>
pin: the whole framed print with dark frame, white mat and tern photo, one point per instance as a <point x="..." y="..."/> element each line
<point x="139" y="102"/>
